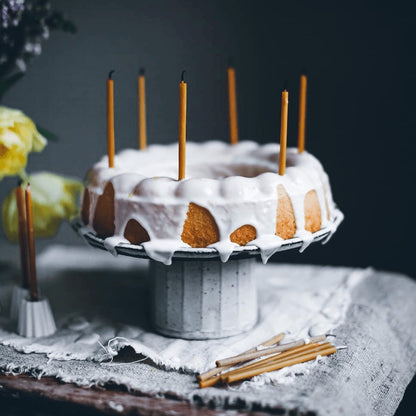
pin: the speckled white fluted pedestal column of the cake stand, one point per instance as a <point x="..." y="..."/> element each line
<point x="197" y="299"/>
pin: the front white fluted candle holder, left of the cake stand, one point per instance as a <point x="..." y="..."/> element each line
<point x="35" y="319"/>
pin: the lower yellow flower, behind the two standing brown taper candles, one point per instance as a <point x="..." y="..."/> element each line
<point x="54" y="199"/>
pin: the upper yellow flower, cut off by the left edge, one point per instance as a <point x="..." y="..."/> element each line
<point x="18" y="137"/>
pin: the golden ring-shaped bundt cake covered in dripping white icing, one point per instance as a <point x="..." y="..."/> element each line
<point x="232" y="195"/>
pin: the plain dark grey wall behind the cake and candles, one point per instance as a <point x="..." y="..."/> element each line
<point x="360" y="104"/>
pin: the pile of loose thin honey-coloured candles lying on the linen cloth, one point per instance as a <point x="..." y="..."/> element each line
<point x="266" y="357"/>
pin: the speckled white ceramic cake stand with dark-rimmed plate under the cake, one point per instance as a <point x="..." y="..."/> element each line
<point x="198" y="296"/>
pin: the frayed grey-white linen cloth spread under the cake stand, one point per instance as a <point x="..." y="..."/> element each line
<point x="101" y="307"/>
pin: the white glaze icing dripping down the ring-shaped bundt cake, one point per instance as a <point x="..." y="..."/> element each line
<point x="236" y="184"/>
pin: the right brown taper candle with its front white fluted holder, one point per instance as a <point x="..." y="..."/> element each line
<point x="35" y="314"/>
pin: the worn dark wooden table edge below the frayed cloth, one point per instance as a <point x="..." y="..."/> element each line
<point x="47" y="396"/>
